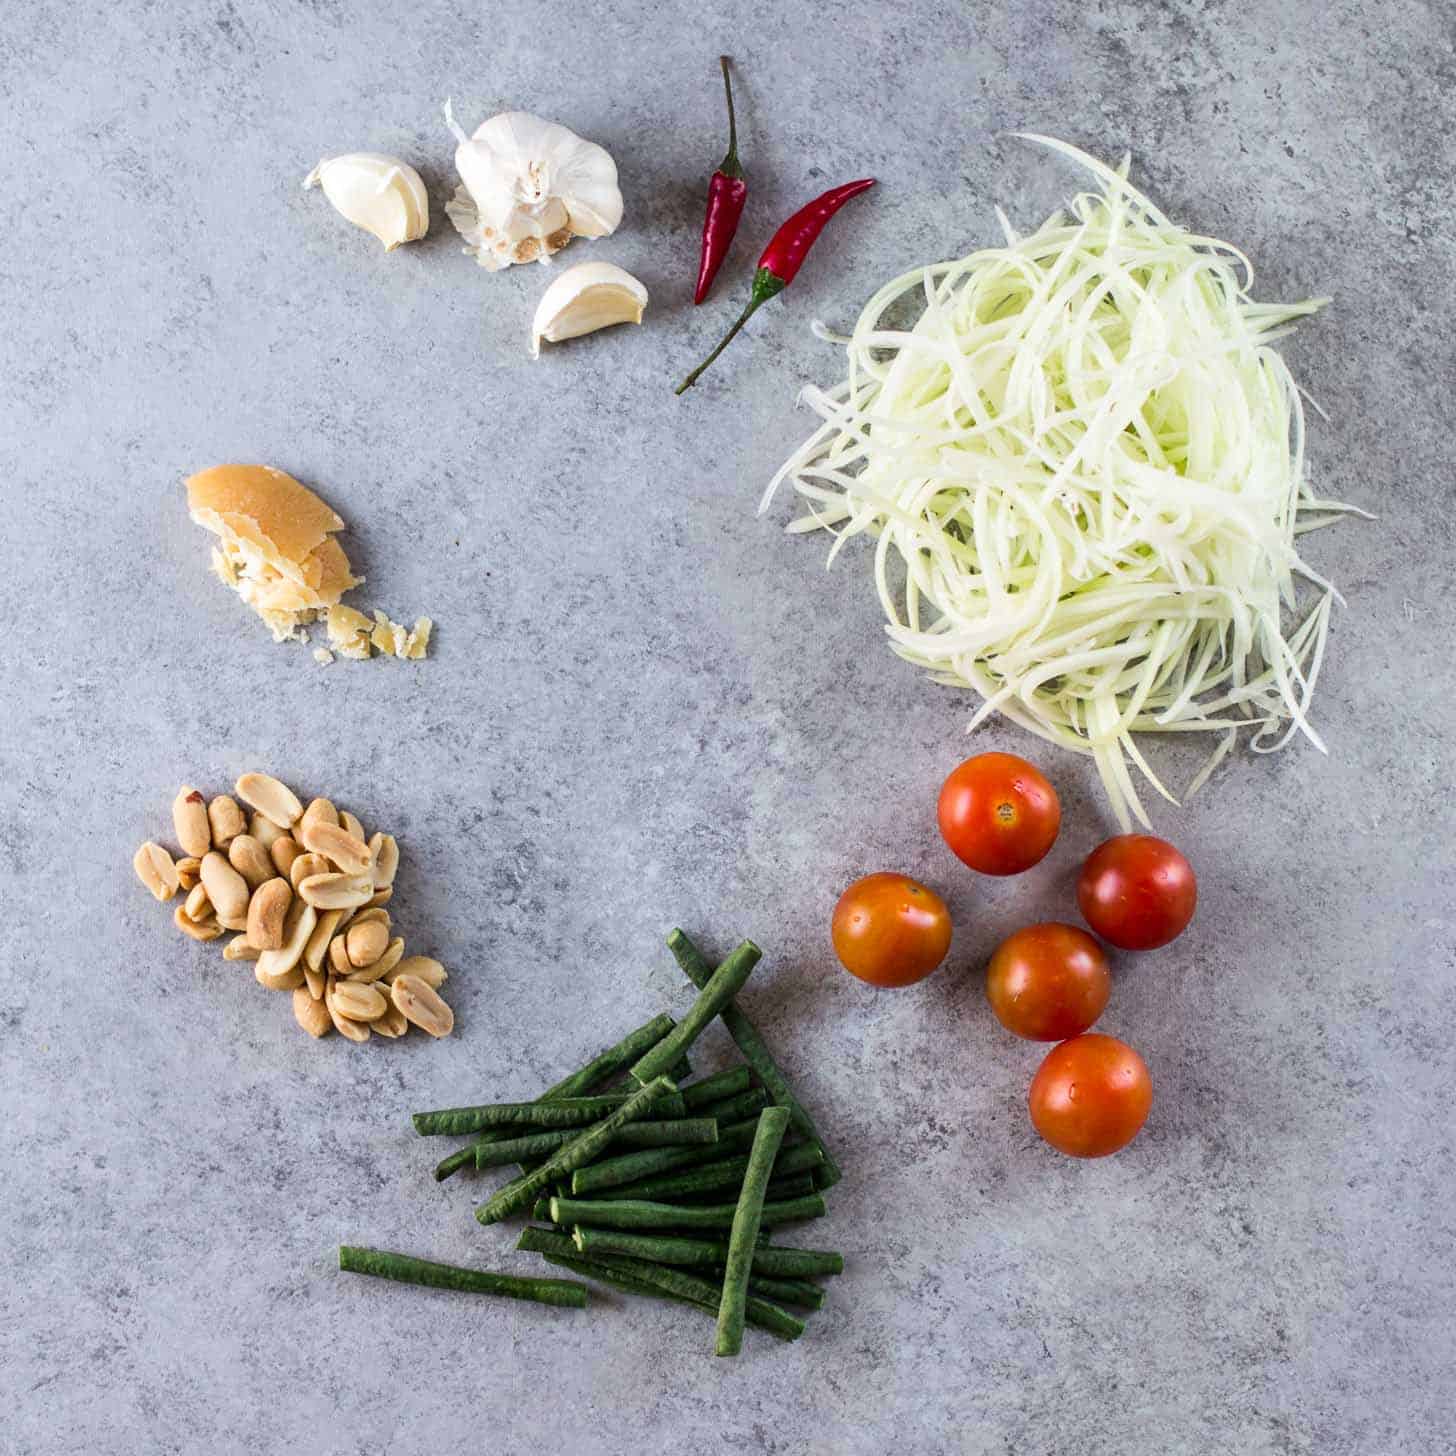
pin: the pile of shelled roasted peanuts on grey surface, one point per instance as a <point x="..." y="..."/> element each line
<point x="305" y="895"/>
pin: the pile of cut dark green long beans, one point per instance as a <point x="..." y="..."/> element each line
<point x="662" y="1187"/>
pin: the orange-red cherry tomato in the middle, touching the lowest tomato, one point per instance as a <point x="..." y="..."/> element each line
<point x="1049" y="982"/>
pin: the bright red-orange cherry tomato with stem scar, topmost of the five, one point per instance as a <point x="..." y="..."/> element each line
<point x="1000" y="815"/>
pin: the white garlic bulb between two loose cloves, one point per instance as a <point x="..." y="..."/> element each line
<point x="529" y="187"/>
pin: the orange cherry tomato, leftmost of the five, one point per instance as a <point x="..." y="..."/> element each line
<point x="890" y="930"/>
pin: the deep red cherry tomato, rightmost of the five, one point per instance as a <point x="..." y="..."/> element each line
<point x="1138" y="892"/>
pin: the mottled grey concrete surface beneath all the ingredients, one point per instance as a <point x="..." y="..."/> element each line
<point x="649" y="707"/>
